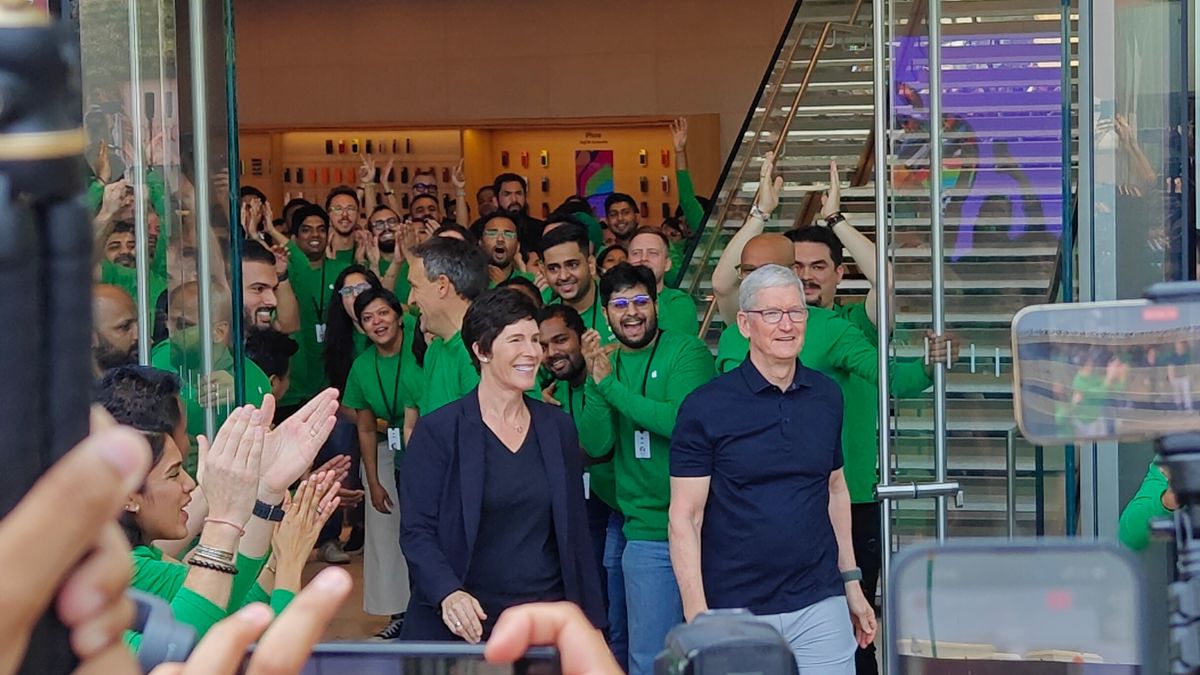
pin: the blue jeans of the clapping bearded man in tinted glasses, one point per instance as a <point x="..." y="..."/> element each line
<point x="653" y="602"/>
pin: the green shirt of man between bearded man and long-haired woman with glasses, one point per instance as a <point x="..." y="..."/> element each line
<point x="314" y="289"/>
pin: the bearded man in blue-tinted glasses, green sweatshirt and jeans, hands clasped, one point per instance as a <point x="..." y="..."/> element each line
<point x="634" y="395"/>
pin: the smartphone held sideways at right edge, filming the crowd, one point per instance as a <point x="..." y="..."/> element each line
<point x="1117" y="371"/>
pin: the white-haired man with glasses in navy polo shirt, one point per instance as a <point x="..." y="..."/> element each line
<point x="760" y="510"/>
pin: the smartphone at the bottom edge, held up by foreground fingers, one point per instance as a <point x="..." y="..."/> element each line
<point x="421" y="659"/>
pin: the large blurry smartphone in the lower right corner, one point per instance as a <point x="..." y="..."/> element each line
<point x="991" y="606"/>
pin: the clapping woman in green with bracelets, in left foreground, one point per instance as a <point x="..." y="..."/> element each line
<point x="218" y="580"/>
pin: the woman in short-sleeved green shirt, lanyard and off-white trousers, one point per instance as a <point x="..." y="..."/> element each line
<point x="382" y="390"/>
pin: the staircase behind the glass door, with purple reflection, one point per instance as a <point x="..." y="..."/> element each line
<point x="1003" y="187"/>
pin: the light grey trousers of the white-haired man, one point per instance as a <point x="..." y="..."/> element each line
<point x="821" y="637"/>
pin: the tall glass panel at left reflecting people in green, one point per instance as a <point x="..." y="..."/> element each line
<point x="157" y="76"/>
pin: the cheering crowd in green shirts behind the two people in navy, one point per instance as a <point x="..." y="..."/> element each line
<point x="370" y="302"/>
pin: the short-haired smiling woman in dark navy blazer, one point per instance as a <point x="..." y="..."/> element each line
<point x="491" y="492"/>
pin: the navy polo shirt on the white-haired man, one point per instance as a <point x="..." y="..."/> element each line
<point x="767" y="543"/>
